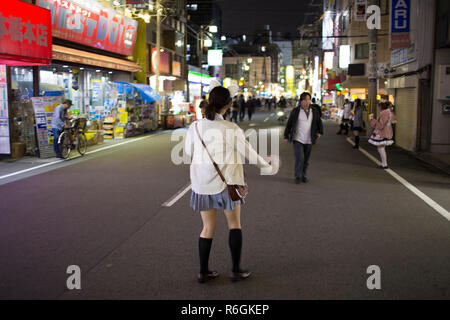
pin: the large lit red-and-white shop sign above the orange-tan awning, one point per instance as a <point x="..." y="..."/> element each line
<point x="90" y="23"/>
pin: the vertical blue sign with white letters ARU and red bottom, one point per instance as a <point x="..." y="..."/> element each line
<point x="400" y="24"/>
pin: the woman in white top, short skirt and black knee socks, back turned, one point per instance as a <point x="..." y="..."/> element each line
<point x="227" y="145"/>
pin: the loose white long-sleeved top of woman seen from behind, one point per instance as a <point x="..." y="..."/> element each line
<point x="228" y="147"/>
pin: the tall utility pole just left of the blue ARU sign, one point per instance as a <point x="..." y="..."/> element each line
<point x="372" y="74"/>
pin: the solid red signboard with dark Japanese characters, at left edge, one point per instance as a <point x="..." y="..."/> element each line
<point x="25" y="34"/>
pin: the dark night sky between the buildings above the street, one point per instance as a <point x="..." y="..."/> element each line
<point x="245" y="16"/>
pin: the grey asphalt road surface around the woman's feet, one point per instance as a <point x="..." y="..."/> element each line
<point x="104" y="213"/>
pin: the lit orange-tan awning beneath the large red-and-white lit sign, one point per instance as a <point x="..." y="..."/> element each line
<point x="82" y="57"/>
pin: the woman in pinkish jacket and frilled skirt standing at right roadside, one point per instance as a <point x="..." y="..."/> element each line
<point x="383" y="133"/>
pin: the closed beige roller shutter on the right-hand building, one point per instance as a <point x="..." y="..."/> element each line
<point x="406" y="112"/>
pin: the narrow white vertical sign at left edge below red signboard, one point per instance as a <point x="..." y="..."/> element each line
<point x="5" y="146"/>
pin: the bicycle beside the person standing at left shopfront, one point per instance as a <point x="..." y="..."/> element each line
<point x="73" y="137"/>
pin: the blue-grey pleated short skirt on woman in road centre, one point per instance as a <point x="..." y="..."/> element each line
<point x="204" y="202"/>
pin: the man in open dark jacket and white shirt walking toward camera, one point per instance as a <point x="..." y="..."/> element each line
<point x="303" y="129"/>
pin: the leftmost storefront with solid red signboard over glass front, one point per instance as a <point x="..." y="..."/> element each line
<point x="24" y="46"/>
